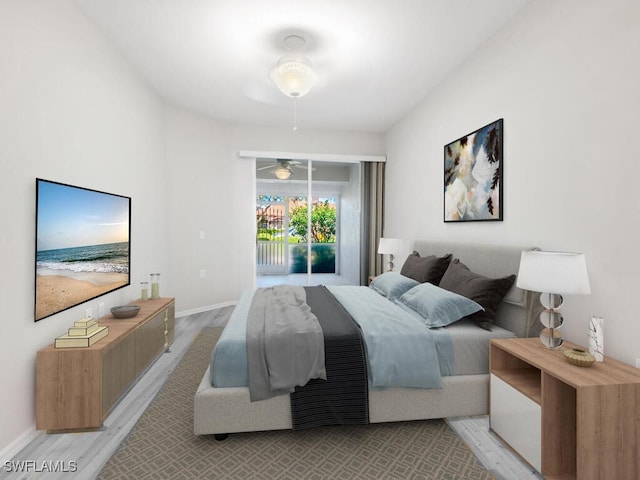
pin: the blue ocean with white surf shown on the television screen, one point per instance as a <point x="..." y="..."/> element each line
<point x="106" y="258"/>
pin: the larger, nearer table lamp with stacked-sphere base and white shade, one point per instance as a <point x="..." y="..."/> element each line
<point x="553" y="274"/>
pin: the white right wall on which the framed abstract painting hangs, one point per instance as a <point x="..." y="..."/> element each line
<point x="564" y="76"/>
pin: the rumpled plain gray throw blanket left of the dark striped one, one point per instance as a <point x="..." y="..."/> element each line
<point x="285" y="344"/>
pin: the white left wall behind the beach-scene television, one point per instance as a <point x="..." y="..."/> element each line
<point x="72" y="111"/>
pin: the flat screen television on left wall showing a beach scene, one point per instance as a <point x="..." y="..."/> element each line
<point x="83" y="245"/>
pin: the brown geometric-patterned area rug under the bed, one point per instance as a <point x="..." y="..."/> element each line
<point x="162" y="444"/>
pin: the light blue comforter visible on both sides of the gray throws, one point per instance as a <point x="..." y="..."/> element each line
<point x="400" y="350"/>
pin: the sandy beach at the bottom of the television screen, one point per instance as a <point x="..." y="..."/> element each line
<point x="57" y="290"/>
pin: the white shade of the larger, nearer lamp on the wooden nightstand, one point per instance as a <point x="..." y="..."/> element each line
<point x="553" y="272"/>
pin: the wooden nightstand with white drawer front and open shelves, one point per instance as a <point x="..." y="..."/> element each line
<point x="569" y="422"/>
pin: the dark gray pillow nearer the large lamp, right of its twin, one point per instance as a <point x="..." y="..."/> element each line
<point x="488" y="292"/>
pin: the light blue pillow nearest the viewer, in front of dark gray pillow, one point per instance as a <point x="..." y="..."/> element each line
<point x="436" y="306"/>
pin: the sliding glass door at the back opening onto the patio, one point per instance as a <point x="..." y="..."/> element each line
<point x="293" y="239"/>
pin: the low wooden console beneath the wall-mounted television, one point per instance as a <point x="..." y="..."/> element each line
<point x="76" y="388"/>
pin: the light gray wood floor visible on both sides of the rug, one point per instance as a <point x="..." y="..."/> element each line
<point x="89" y="451"/>
